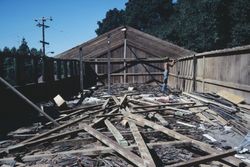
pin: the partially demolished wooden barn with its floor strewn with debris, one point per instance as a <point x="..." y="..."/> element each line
<point x="202" y="121"/>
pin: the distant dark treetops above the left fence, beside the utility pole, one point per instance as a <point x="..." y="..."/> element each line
<point x="23" y="49"/>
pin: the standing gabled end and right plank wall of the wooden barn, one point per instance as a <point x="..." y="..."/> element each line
<point x="137" y="57"/>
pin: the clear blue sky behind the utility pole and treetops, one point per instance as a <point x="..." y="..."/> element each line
<point x="74" y="21"/>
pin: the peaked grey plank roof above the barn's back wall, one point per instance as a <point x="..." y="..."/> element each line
<point x="135" y="38"/>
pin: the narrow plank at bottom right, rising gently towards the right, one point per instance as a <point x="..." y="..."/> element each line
<point x="204" y="159"/>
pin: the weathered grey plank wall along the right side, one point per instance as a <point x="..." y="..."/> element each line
<point x="227" y="69"/>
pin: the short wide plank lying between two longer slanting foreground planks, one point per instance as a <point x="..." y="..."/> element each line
<point x="118" y="136"/>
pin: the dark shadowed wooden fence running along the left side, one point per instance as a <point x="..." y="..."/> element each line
<point x="24" y="70"/>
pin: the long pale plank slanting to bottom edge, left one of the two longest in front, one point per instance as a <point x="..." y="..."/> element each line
<point x="112" y="144"/>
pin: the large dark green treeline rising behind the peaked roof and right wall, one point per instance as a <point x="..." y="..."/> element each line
<point x="198" y="25"/>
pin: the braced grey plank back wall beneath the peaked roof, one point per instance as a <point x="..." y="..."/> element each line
<point x="135" y="74"/>
